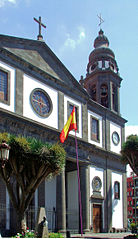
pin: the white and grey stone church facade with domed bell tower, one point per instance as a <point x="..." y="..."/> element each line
<point x="37" y="94"/>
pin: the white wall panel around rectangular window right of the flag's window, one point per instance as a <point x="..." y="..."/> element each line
<point x="98" y="117"/>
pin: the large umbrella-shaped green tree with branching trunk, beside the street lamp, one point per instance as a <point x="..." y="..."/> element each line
<point x="30" y="162"/>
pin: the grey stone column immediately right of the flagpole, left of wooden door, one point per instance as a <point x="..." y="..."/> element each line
<point x="85" y="197"/>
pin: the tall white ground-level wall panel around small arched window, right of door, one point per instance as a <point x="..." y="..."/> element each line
<point x="117" y="205"/>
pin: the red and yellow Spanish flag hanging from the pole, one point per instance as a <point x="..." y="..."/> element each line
<point x="70" y="125"/>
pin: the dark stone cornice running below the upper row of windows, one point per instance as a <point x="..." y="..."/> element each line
<point x="15" y="121"/>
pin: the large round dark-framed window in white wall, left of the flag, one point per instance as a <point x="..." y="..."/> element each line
<point x="41" y="102"/>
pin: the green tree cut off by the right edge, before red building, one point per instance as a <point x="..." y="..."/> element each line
<point x="130" y="152"/>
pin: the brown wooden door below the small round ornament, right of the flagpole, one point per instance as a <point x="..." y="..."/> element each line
<point x="97" y="218"/>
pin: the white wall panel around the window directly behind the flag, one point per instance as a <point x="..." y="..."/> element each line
<point x="72" y="101"/>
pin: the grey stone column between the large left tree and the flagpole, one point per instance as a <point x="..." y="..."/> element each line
<point x="61" y="203"/>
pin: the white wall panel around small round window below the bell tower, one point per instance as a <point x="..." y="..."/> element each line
<point x="117" y="128"/>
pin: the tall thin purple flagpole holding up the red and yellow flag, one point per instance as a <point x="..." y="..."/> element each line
<point x="79" y="191"/>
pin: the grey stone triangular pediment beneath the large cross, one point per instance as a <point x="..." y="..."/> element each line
<point x="40" y="56"/>
